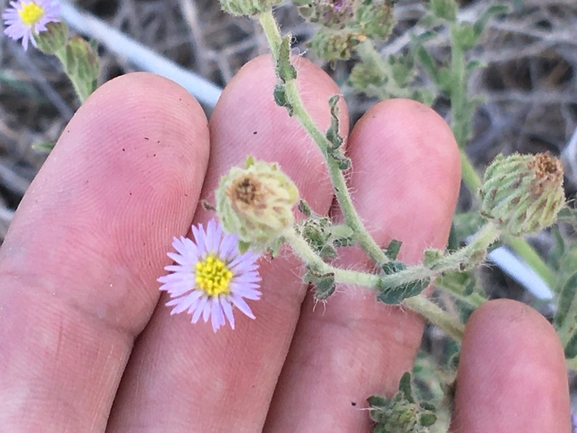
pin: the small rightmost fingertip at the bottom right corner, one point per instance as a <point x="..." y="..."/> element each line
<point x="512" y="375"/>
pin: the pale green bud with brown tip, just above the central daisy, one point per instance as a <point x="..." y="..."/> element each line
<point x="255" y="203"/>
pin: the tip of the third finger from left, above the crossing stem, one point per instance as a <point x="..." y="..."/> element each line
<point x="410" y="167"/>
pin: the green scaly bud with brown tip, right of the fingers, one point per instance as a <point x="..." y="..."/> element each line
<point x="522" y="194"/>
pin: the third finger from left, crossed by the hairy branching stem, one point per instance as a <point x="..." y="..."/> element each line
<point x="405" y="180"/>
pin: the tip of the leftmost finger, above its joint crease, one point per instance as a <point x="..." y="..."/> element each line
<point x="123" y="178"/>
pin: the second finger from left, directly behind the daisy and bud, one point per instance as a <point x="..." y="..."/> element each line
<point x="184" y="377"/>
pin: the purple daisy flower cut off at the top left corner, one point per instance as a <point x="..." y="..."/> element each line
<point x="24" y="19"/>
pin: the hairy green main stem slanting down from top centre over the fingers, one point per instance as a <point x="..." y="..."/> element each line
<point x="366" y="242"/>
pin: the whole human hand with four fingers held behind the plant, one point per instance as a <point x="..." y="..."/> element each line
<point x="86" y="346"/>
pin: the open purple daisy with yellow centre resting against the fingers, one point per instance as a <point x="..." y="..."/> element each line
<point x="211" y="276"/>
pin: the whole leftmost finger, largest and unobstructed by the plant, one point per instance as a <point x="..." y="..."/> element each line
<point x="79" y="265"/>
